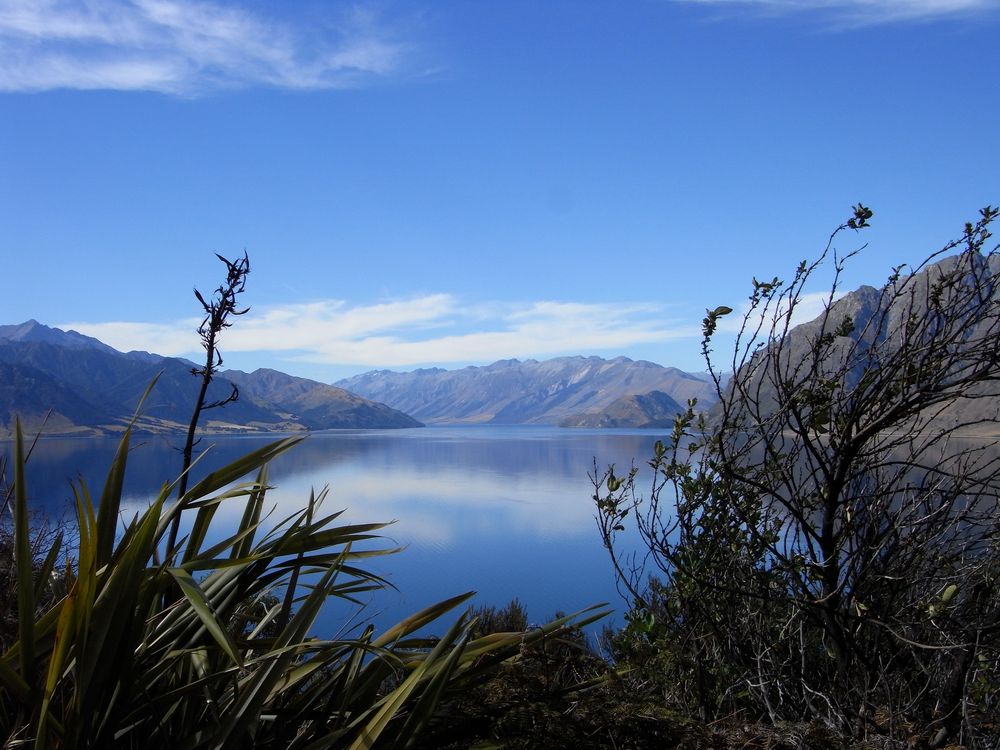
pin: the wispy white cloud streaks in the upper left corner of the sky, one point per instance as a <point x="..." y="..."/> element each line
<point x="186" y="47"/>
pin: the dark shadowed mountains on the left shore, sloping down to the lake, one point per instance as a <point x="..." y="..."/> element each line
<point x="87" y="387"/>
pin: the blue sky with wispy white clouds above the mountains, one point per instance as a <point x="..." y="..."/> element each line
<point x="451" y="183"/>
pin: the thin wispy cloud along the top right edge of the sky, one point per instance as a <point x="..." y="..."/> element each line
<point x="861" y="12"/>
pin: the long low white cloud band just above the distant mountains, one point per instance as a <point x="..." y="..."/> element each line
<point x="437" y="328"/>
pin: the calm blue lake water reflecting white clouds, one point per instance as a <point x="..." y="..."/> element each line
<point x="504" y="511"/>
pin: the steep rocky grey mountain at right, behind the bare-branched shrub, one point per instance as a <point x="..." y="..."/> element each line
<point x="878" y="323"/>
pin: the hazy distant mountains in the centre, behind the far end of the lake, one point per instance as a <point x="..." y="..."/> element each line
<point x="529" y="392"/>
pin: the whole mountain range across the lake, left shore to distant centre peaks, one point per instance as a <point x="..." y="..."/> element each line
<point x="78" y="385"/>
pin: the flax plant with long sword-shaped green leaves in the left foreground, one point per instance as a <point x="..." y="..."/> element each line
<point x="210" y="643"/>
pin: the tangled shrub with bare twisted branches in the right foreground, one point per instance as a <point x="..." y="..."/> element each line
<point x="824" y="547"/>
